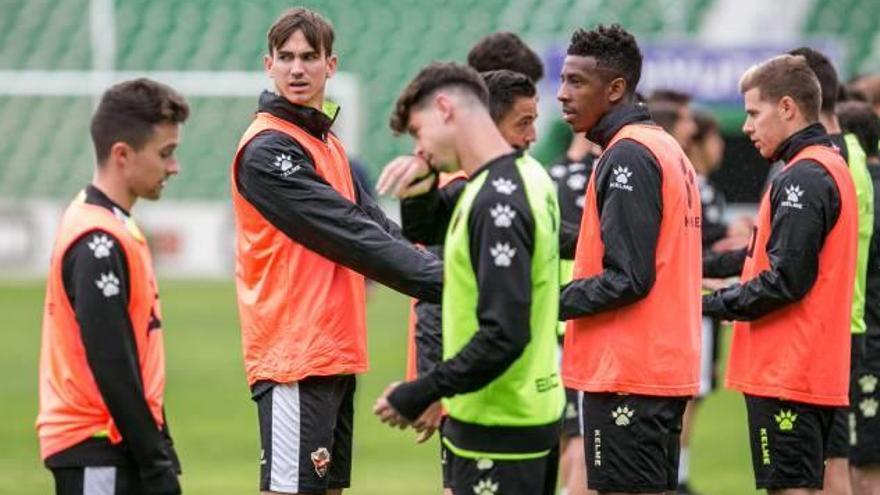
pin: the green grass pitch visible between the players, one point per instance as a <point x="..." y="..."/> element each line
<point x="214" y="422"/>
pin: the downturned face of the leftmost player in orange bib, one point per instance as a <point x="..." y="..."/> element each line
<point x="147" y="169"/>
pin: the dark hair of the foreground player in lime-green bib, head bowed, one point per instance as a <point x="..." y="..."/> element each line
<point x="437" y="75"/>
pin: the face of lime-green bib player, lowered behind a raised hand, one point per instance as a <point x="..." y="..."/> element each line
<point x="434" y="138"/>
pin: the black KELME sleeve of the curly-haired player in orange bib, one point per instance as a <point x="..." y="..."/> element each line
<point x="628" y="191"/>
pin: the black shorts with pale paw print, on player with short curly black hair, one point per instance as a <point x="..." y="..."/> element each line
<point x="631" y="442"/>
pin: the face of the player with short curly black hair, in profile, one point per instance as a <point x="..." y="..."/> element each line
<point x="584" y="92"/>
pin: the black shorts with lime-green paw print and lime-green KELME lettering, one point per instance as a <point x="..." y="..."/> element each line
<point x="789" y="441"/>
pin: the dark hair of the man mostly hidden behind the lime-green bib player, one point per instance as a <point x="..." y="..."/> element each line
<point x="505" y="50"/>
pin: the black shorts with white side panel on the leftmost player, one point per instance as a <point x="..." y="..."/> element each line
<point x="109" y="480"/>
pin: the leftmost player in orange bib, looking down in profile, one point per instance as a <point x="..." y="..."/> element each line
<point x="102" y="424"/>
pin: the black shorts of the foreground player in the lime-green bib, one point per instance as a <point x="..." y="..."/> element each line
<point x="508" y="477"/>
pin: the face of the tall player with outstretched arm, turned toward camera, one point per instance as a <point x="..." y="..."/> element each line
<point x="300" y="71"/>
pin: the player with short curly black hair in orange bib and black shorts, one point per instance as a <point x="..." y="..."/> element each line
<point x="634" y="303"/>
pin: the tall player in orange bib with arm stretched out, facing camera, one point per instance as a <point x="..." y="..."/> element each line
<point x="306" y="236"/>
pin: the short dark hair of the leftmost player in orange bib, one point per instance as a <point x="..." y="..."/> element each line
<point x="129" y="110"/>
